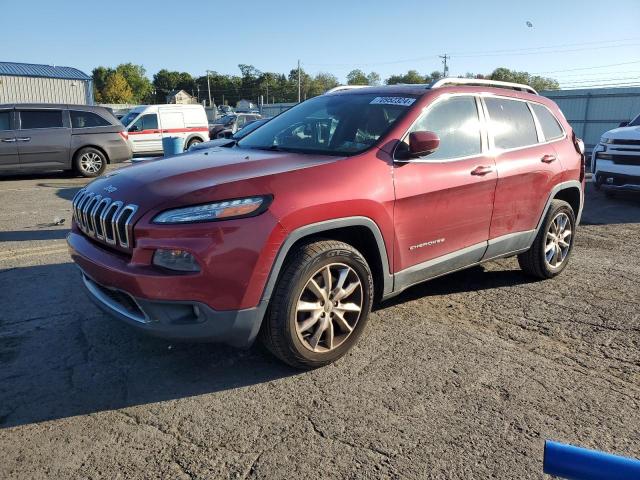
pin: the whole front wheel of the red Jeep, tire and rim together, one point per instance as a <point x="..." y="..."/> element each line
<point x="320" y="305"/>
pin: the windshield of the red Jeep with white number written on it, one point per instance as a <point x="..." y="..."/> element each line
<point x="331" y="124"/>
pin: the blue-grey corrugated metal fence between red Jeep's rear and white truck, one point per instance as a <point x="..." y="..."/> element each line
<point x="591" y="112"/>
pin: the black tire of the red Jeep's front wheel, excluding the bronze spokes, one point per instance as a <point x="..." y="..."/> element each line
<point x="279" y="333"/>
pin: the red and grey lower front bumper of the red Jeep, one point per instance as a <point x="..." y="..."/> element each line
<point x="126" y="293"/>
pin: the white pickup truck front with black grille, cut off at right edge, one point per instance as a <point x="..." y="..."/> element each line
<point x="615" y="161"/>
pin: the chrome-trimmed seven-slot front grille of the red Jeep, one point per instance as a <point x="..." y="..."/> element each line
<point x="104" y="219"/>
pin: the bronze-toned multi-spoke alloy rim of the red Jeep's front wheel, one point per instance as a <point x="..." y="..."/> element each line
<point x="329" y="307"/>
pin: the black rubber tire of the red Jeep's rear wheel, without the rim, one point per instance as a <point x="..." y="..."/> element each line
<point x="534" y="262"/>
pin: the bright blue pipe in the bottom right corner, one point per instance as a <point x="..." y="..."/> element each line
<point x="575" y="463"/>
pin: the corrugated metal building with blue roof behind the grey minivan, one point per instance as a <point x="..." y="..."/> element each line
<point x="32" y="83"/>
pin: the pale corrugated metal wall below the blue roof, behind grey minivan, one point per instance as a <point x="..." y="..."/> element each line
<point x="15" y="89"/>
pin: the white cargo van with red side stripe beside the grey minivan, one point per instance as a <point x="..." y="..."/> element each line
<point x="146" y="125"/>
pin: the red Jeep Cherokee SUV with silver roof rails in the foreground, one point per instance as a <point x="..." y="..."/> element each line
<point x="292" y="232"/>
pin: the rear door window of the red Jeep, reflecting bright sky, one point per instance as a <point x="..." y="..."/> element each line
<point x="511" y="123"/>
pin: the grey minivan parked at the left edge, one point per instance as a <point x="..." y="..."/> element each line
<point x="39" y="137"/>
